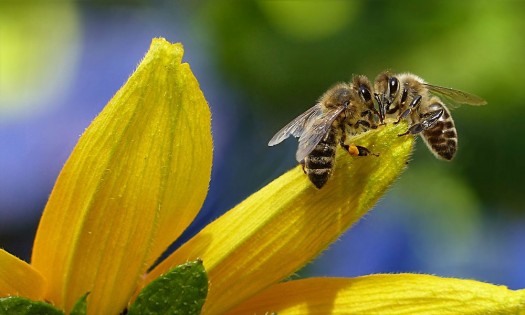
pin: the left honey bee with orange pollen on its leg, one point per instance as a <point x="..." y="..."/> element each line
<point x="345" y="109"/>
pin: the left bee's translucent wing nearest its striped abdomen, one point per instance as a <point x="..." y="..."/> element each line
<point x="315" y="131"/>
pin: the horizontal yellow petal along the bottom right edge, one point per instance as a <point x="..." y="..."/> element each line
<point x="385" y="294"/>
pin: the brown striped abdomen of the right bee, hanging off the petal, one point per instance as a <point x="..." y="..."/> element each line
<point x="442" y="137"/>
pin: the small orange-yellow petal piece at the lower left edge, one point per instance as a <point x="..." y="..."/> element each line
<point x="18" y="278"/>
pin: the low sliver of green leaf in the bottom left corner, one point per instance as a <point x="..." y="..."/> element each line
<point x="22" y="306"/>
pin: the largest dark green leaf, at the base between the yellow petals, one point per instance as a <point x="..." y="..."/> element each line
<point x="182" y="290"/>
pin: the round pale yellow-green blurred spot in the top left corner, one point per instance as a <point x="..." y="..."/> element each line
<point x="39" y="43"/>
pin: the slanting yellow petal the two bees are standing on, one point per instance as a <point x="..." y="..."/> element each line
<point x="287" y="223"/>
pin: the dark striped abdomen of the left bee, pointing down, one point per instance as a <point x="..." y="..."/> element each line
<point x="319" y="164"/>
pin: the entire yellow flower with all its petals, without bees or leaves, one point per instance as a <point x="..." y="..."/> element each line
<point x="138" y="177"/>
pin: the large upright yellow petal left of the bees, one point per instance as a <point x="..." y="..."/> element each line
<point x="135" y="180"/>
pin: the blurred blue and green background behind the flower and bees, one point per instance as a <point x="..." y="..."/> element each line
<point x="260" y="64"/>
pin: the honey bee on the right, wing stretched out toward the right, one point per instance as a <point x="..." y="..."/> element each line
<point x="407" y="96"/>
